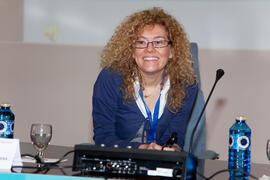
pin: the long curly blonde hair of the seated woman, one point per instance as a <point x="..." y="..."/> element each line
<point x="117" y="54"/>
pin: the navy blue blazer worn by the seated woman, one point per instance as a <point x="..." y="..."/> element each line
<point x="116" y="122"/>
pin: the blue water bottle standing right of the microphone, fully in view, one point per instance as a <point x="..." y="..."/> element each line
<point x="239" y="149"/>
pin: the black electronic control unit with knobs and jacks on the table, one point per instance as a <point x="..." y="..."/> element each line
<point x="91" y="159"/>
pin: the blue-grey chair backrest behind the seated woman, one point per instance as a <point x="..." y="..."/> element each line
<point x="198" y="144"/>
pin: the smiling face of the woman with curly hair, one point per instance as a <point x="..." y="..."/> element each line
<point x="151" y="60"/>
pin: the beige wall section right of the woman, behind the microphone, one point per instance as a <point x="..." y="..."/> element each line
<point x="244" y="90"/>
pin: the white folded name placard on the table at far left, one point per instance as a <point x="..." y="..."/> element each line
<point x="10" y="154"/>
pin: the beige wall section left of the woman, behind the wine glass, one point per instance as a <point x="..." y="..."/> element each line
<point x="50" y="84"/>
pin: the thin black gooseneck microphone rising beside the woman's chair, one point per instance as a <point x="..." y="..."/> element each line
<point x="219" y="74"/>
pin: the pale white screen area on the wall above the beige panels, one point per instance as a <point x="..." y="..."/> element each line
<point x="213" y="24"/>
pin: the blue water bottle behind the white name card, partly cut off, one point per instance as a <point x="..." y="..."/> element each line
<point x="6" y="121"/>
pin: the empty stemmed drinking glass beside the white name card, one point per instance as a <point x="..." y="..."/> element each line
<point x="41" y="135"/>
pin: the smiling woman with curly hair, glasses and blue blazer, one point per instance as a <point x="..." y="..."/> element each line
<point x="147" y="87"/>
